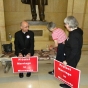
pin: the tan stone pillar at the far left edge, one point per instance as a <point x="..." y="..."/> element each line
<point x="2" y="25"/>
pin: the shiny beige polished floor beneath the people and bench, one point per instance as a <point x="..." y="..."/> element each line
<point x="42" y="79"/>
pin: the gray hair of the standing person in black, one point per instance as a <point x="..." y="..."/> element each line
<point x="71" y="21"/>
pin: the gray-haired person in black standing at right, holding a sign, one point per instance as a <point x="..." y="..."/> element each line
<point x="73" y="44"/>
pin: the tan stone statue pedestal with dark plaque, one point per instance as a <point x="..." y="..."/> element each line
<point x="41" y="34"/>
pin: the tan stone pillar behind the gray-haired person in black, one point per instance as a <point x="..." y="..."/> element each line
<point x="77" y="9"/>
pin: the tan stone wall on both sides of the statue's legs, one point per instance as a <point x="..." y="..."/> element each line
<point x="15" y="12"/>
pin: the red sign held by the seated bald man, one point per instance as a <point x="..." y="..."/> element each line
<point x="24" y="65"/>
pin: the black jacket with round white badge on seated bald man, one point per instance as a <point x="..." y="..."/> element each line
<point x="24" y="43"/>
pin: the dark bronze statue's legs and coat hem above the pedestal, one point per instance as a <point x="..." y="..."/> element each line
<point x="33" y="3"/>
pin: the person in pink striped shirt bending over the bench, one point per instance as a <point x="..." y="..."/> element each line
<point x="59" y="37"/>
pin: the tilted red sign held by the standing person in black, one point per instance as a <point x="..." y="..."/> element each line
<point x="67" y="74"/>
